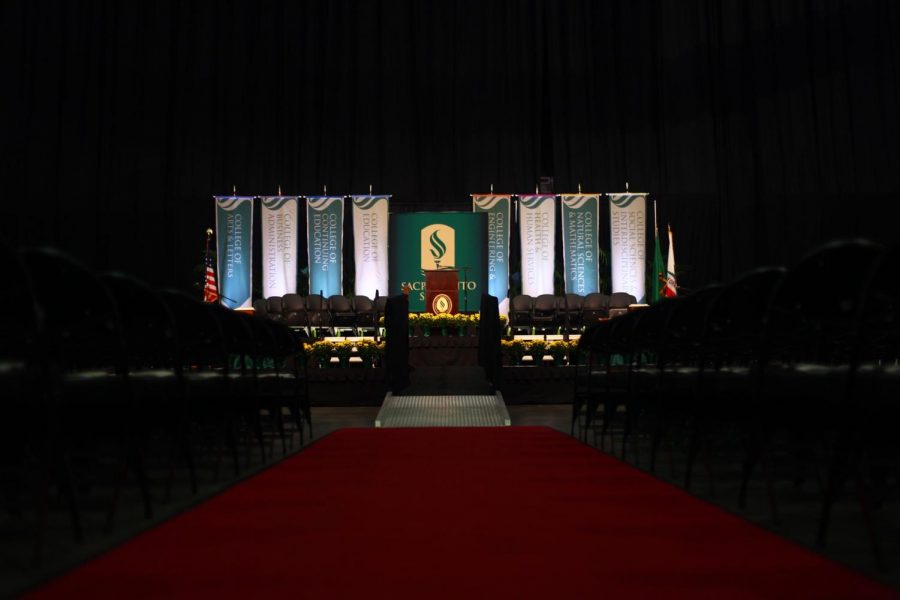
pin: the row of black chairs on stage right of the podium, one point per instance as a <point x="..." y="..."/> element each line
<point x="552" y="314"/>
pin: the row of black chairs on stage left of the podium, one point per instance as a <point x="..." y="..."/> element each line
<point x="317" y="316"/>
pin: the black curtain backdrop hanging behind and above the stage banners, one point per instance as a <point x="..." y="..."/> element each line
<point x="761" y="127"/>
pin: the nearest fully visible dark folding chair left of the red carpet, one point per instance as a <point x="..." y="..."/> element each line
<point x="93" y="406"/>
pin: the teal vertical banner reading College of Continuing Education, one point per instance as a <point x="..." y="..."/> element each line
<point x="325" y="241"/>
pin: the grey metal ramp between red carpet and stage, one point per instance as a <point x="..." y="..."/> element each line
<point x="443" y="411"/>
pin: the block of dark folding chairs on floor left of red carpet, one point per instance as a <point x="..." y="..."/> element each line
<point x="106" y="381"/>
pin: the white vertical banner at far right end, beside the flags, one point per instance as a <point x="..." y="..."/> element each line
<point x="628" y="237"/>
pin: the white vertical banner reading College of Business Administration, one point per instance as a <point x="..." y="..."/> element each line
<point x="279" y="247"/>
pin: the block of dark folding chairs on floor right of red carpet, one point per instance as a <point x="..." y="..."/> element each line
<point x="784" y="367"/>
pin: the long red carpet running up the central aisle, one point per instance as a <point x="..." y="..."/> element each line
<point x="457" y="513"/>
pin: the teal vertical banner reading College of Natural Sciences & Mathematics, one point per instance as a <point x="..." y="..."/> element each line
<point x="581" y="248"/>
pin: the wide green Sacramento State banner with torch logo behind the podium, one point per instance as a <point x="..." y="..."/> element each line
<point x="435" y="240"/>
